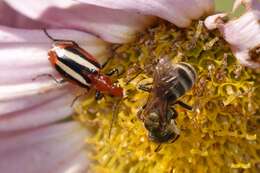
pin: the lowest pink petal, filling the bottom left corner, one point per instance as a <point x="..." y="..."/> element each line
<point x="56" y="148"/>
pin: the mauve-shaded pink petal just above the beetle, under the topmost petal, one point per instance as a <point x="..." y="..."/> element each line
<point x="109" y="24"/>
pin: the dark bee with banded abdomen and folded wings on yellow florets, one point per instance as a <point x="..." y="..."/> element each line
<point x="170" y="82"/>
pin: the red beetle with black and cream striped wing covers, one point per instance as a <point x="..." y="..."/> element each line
<point x="79" y="66"/>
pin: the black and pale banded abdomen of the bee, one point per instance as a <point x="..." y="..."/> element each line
<point x="185" y="79"/>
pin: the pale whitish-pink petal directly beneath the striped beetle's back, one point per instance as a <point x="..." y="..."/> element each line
<point x="24" y="52"/>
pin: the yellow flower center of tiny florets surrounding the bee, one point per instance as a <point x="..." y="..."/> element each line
<point x="220" y="134"/>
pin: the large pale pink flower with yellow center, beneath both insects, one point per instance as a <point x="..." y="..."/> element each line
<point x="33" y="128"/>
